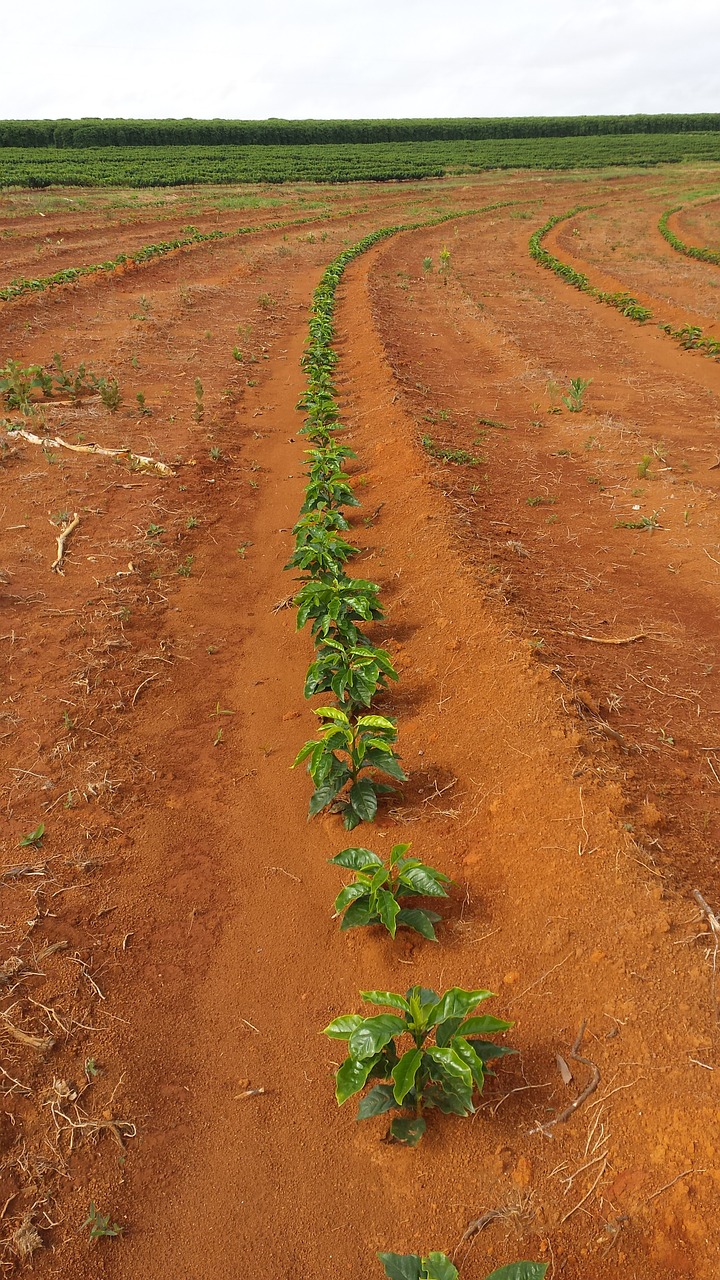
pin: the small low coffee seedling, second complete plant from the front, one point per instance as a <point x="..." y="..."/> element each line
<point x="376" y="893"/>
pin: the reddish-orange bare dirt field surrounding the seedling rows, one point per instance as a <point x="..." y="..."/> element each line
<point x="168" y="954"/>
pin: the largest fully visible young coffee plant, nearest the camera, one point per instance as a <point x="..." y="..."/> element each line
<point x="443" y="1068"/>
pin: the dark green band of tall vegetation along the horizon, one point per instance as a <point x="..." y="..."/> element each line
<point x="143" y="134"/>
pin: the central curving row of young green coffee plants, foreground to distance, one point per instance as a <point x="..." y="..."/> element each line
<point x="425" y="1052"/>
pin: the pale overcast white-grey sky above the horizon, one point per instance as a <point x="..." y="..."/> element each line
<point x="357" y="58"/>
